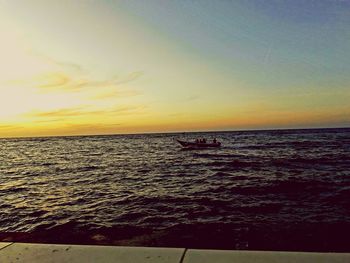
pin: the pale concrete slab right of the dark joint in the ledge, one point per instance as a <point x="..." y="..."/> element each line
<point x="210" y="256"/>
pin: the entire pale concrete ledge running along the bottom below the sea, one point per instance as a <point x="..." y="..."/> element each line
<point x="41" y="253"/>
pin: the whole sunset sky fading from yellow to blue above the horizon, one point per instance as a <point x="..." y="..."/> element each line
<point x="110" y="67"/>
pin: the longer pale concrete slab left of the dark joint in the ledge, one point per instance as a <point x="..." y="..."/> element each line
<point x="46" y="253"/>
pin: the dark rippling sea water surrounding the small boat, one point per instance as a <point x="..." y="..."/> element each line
<point x="275" y="190"/>
